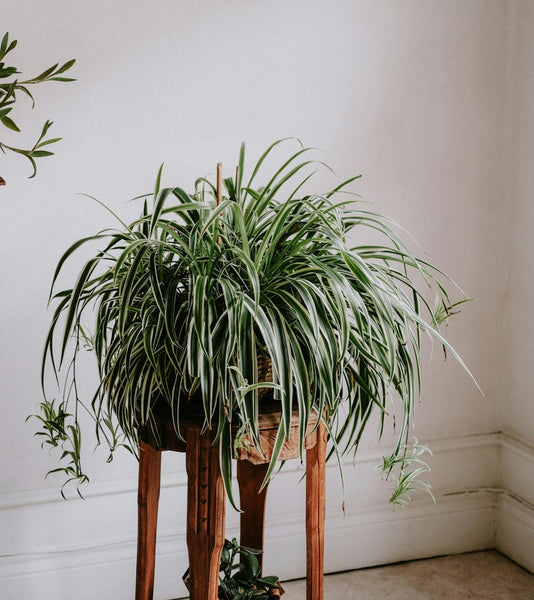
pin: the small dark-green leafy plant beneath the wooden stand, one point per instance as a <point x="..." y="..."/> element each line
<point x="240" y="575"/>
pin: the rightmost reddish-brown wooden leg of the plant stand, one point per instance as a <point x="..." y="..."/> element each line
<point x="315" y="514"/>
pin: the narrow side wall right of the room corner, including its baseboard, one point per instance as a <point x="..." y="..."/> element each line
<point x="515" y="531"/>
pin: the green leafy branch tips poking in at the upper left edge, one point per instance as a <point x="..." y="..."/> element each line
<point x="8" y="97"/>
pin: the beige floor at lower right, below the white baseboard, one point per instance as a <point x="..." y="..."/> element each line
<point x="484" y="575"/>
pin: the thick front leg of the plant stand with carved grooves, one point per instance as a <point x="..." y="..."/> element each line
<point x="205" y="514"/>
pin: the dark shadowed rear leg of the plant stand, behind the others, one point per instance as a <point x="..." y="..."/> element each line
<point x="250" y="477"/>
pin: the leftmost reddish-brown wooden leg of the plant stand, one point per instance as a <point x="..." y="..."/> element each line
<point x="147" y="507"/>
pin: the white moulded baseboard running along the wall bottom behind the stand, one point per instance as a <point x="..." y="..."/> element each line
<point x="59" y="550"/>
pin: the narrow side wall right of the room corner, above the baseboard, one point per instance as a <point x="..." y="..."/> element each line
<point x="518" y="410"/>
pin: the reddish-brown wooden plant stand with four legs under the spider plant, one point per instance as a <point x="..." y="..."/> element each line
<point x="206" y="501"/>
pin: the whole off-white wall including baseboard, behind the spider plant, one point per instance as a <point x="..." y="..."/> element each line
<point x="431" y="101"/>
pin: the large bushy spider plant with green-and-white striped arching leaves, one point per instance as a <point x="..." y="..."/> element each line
<point x="188" y="300"/>
